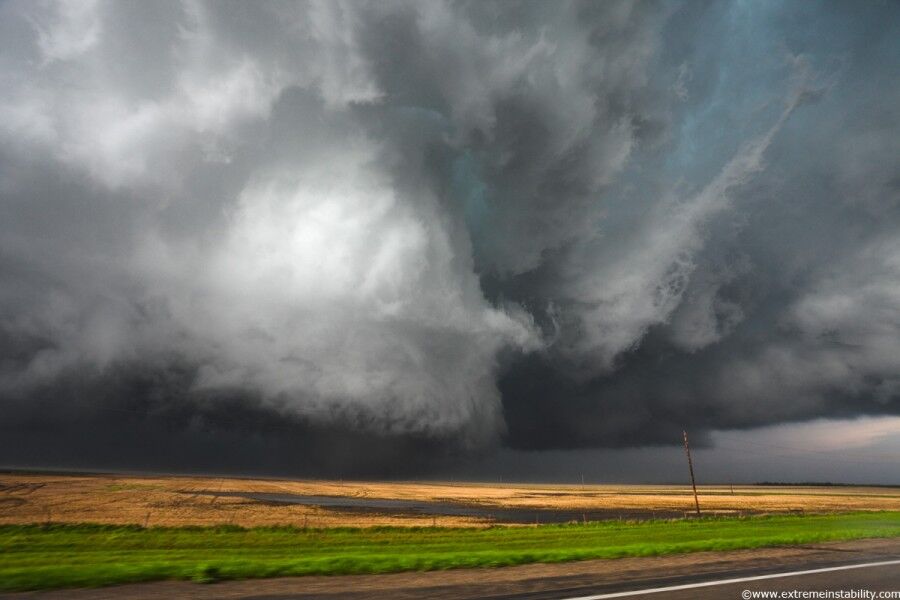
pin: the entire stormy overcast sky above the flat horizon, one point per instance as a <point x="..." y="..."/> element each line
<point x="472" y="238"/>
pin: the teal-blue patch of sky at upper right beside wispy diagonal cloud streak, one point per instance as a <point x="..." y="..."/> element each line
<point x="739" y="85"/>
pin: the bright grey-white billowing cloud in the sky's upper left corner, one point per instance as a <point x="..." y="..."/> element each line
<point x="76" y="102"/>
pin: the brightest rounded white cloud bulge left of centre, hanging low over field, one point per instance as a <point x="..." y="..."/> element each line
<point x="329" y="293"/>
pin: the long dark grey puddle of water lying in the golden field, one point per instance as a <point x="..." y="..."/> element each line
<point x="419" y="507"/>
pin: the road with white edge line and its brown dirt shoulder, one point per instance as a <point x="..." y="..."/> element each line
<point x="561" y="581"/>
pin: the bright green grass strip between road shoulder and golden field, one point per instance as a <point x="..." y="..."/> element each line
<point x="53" y="556"/>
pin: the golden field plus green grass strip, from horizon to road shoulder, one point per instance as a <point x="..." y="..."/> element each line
<point x="63" y="530"/>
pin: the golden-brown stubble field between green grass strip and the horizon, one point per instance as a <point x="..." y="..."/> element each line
<point x="29" y="498"/>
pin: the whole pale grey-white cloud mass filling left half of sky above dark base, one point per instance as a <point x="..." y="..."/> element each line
<point x="314" y="282"/>
